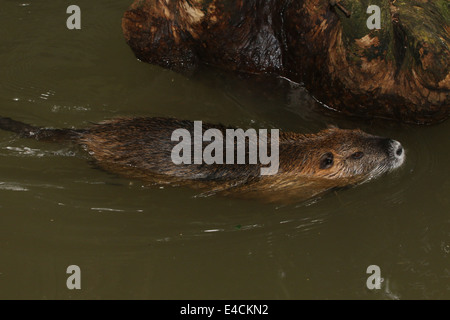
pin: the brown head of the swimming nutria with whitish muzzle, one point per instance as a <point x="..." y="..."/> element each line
<point x="350" y="154"/>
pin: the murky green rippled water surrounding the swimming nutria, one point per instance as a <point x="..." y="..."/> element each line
<point x="57" y="210"/>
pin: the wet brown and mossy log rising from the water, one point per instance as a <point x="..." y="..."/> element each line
<point x="400" y="71"/>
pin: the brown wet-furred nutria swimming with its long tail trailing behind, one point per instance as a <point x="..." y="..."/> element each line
<point x="309" y="164"/>
